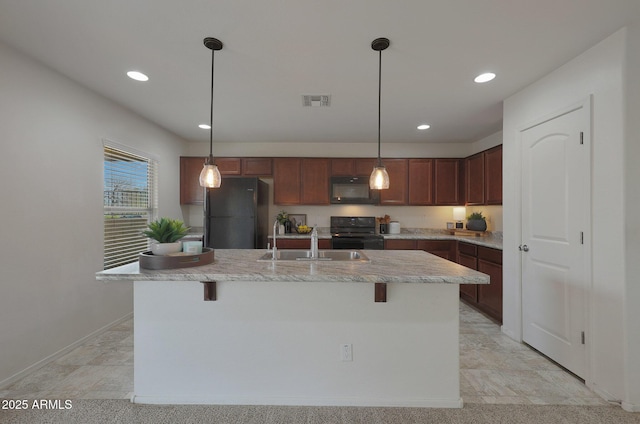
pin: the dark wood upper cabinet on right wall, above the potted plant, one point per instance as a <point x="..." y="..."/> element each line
<point x="483" y="177"/>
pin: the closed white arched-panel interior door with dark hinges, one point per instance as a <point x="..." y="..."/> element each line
<point x="555" y="220"/>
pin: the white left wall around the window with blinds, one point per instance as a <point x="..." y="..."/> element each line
<point x="51" y="178"/>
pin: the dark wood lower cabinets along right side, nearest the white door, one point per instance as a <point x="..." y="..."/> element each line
<point x="485" y="297"/>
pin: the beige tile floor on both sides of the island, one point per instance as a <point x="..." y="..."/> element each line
<point x="494" y="369"/>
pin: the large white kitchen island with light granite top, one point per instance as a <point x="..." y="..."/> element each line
<point x="299" y="333"/>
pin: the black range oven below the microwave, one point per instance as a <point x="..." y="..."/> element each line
<point x="355" y="233"/>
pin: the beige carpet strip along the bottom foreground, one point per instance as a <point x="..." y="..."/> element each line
<point x="122" y="411"/>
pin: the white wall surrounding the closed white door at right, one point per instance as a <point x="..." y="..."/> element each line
<point x="598" y="72"/>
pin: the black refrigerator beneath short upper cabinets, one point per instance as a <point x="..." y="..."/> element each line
<point x="237" y="214"/>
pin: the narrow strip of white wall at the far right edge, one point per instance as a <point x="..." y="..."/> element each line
<point x="632" y="223"/>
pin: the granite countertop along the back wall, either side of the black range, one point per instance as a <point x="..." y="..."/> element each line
<point x="492" y="239"/>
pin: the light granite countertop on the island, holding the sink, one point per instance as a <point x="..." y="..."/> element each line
<point x="386" y="266"/>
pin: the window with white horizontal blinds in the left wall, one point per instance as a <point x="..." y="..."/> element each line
<point x="130" y="203"/>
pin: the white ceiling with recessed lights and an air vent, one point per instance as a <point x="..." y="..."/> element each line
<point x="275" y="51"/>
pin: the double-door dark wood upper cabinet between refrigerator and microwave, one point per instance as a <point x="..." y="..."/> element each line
<point x="300" y="181"/>
